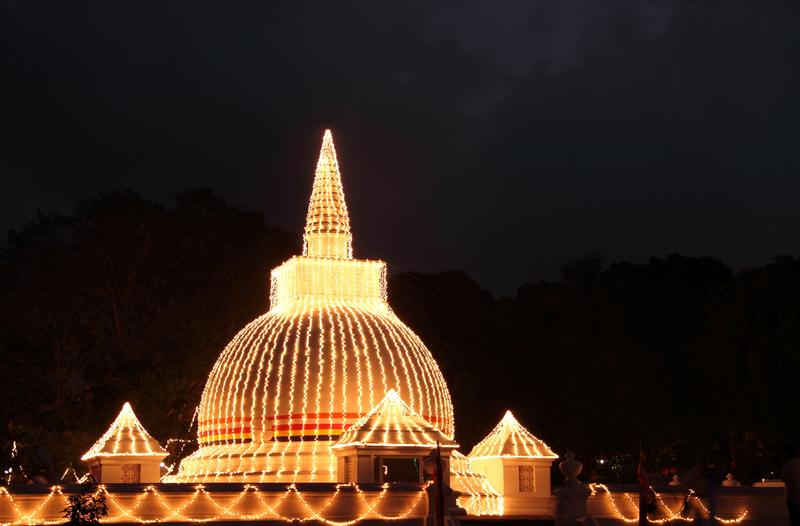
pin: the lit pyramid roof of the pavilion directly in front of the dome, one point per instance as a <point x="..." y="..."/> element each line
<point x="393" y="423"/>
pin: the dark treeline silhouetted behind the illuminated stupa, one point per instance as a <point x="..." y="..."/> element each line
<point x="125" y="299"/>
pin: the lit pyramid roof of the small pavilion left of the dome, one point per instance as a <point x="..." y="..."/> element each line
<point x="126" y="437"/>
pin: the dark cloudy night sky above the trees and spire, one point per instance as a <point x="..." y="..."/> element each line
<point x="503" y="138"/>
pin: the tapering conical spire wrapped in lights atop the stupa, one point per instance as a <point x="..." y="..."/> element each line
<point x="327" y="233"/>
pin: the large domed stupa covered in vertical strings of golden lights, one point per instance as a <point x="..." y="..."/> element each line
<point x="329" y="349"/>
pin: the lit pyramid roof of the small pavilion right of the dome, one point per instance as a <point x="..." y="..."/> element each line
<point x="510" y="439"/>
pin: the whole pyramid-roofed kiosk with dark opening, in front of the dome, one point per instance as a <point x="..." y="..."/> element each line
<point x="389" y="444"/>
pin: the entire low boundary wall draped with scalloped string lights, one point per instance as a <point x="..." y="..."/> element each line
<point x="132" y="503"/>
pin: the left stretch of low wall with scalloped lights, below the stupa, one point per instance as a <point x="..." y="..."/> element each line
<point x="35" y="504"/>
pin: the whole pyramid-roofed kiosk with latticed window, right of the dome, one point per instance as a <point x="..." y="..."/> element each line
<point x="517" y="464"/>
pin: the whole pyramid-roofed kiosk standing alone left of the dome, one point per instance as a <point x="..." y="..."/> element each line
<point x="126" y="453"/>
